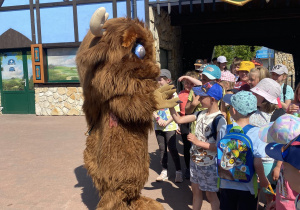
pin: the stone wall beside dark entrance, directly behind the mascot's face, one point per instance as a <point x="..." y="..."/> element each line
<point x="167" y="37"/>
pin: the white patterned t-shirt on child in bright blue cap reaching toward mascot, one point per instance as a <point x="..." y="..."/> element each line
<point x="204" y="122"/>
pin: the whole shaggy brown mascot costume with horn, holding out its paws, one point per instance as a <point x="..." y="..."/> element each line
<point x="117" y="70"/>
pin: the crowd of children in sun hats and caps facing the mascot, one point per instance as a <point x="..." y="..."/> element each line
<point x="228" y="120"/>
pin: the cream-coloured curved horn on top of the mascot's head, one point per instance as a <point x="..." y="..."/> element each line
<point x="98" y="19"/>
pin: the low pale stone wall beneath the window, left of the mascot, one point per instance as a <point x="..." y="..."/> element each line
<point x="58" y="101"/>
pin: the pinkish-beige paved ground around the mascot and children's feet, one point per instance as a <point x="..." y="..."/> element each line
<point x="42" y="167"/>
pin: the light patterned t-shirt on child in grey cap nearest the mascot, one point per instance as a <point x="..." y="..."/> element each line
<point x="165" y="114"/>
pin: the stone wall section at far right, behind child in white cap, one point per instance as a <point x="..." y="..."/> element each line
<point x="287" y="60"/>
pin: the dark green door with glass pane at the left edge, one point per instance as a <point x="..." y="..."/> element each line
<point x="16" y="82"/>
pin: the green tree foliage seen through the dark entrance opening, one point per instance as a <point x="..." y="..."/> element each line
<point x="241" y="51"/>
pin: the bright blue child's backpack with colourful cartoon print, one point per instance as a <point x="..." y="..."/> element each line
<point x="235" y="160"/>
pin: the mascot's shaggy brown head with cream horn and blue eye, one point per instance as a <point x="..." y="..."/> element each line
<point x="115" y="58"/>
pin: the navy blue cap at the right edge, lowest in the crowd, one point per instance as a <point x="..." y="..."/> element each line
<point x="289" y="153"/>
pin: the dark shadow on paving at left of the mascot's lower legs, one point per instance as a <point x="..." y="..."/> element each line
<point x="89" y="193"/>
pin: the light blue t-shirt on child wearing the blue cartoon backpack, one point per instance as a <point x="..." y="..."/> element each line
<point x="258" y="151"/>
